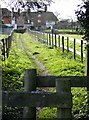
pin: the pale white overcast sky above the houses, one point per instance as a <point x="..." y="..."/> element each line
<point x="66" y="8"/>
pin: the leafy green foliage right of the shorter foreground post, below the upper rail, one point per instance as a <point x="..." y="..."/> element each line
<point x="79" y="102"/>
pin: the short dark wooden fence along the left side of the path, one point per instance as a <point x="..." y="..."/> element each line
<point x="5" y="45"/>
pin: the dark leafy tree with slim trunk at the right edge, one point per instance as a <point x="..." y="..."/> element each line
<point x="83" y="17"/>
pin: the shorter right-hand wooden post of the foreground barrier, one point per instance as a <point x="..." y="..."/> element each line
<point x="63" y="86"/>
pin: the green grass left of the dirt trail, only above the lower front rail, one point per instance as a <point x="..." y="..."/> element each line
<point x="17" y="62"/>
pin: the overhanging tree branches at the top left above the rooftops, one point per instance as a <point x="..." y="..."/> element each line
<point x="27" y="4"/>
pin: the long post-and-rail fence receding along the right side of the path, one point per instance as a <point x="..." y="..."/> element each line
<point x="56" y="40"/>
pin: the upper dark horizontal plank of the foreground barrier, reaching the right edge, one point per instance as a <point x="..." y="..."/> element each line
<point x="50" y="81"/>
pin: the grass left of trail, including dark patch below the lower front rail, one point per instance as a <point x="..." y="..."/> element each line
<point x="13" y="70"/>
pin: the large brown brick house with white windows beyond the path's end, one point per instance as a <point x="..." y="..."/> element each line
<point x="40" y="19"/>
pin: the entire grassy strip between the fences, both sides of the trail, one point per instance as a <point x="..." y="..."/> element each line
<point x="55" y="62"/>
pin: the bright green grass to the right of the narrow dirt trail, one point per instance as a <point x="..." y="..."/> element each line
<point x="61" y="64"/>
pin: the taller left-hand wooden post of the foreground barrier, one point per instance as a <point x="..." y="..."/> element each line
<point x="29" y="86"/>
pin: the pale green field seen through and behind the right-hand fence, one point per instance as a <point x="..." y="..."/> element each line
<point x="71" y="43"/>
